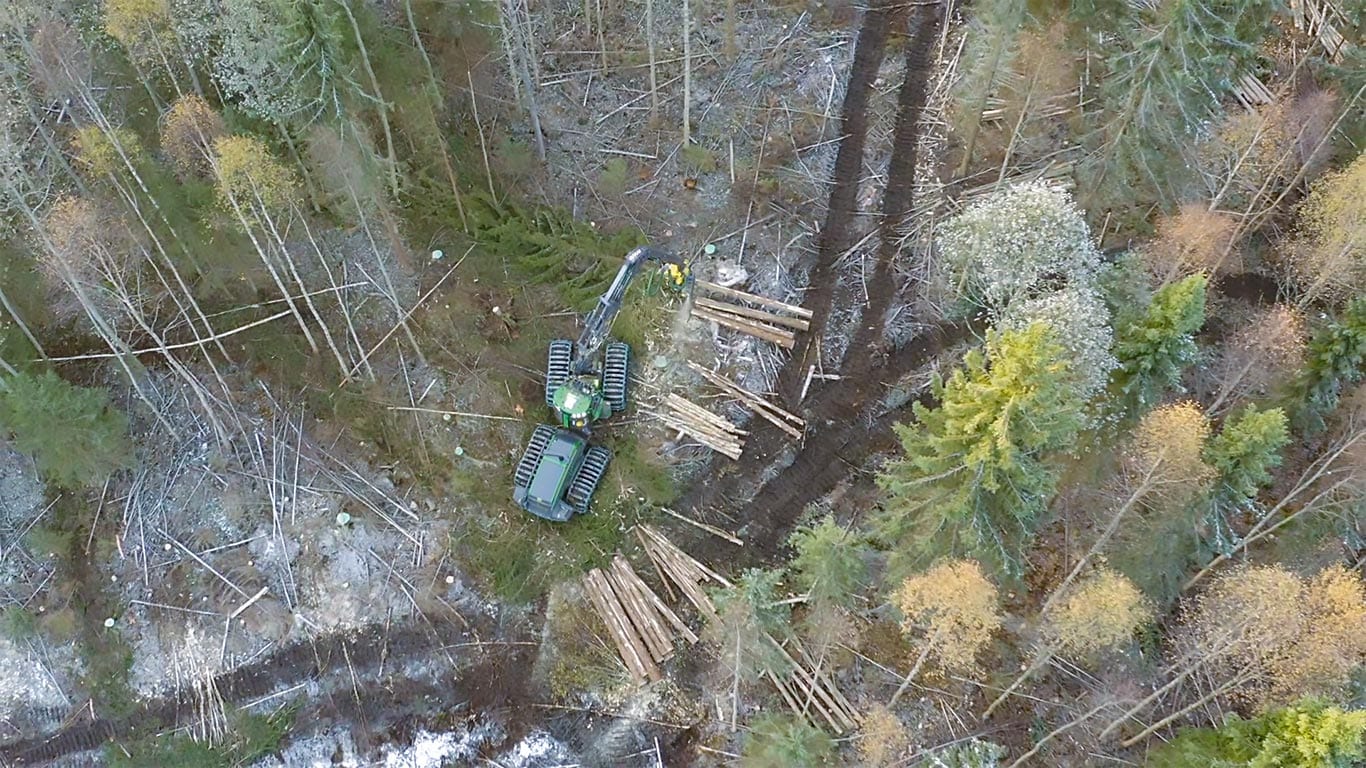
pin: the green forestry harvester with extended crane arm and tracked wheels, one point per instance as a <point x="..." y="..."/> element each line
<point x="585" y="382"/>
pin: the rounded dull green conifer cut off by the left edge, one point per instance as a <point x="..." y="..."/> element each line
<point x="73" y="434"/>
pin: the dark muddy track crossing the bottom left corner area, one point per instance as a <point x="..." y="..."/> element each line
<point x="364" y="678"/>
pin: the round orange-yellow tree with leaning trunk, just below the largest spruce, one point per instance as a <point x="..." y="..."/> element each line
<point x="954" y="610"/>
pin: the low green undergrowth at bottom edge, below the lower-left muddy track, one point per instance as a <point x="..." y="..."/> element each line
<point x="251" y="739"/>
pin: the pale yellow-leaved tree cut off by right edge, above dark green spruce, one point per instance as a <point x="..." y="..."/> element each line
<point x="1331" y="258"/>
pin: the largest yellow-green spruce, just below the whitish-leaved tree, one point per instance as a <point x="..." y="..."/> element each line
<point x="975" y="478"/>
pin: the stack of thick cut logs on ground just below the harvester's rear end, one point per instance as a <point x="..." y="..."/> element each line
<point x="641" y="625"/>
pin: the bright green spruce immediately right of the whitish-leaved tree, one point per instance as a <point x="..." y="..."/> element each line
<point x="1155" y="348"/>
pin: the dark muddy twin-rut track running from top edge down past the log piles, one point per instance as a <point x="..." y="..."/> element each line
<point x="841" y="431"/>
